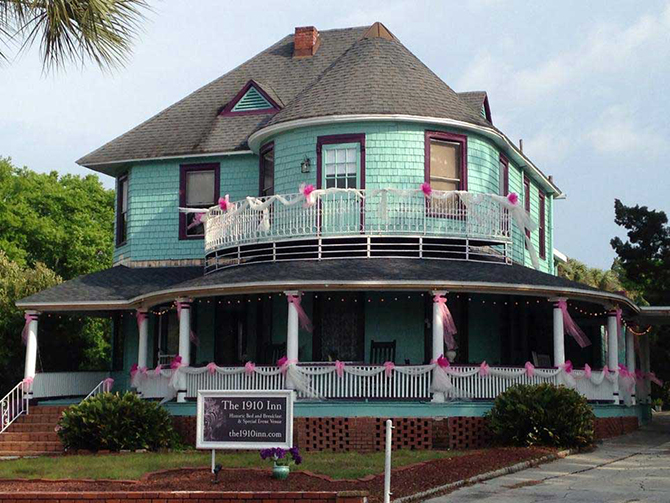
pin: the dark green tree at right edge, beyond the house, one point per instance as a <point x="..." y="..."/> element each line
<point x="644" y="258"/>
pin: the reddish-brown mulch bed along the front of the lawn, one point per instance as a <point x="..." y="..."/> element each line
<point x="405" y="481"/>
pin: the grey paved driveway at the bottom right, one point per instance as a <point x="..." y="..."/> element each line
<point x="630" y="469"/>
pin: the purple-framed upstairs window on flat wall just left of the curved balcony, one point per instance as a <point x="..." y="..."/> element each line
<point x="198" y="188"/>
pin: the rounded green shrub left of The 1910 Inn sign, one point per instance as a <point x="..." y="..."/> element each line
<point x="113" y="421"/>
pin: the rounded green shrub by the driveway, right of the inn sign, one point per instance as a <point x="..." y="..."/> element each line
<point x="542" y="414"/>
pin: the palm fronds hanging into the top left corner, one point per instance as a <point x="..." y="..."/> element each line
<point x="76" y="31"/>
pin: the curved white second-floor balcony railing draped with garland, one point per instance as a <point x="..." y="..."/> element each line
<point x="360" y="223"/>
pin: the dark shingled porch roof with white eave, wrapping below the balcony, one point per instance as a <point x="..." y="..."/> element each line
<point x="127" y="288"/>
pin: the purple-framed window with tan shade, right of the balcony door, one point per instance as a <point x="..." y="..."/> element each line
<point x="445" y="161"/>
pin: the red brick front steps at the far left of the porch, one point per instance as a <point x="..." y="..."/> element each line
<point x="33" y="434"/>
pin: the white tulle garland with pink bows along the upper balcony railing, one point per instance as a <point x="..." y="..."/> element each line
<point x="310" y="196"/>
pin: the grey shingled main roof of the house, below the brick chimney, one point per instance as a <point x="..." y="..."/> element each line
<point x="363" y="70"/>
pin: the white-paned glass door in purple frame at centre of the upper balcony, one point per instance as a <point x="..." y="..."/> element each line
<point x="341" y="161"/>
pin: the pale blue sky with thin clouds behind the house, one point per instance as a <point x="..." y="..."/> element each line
<point x="583" y="83"/>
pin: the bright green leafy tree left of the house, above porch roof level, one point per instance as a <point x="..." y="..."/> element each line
<point x="65" y="222"/>
